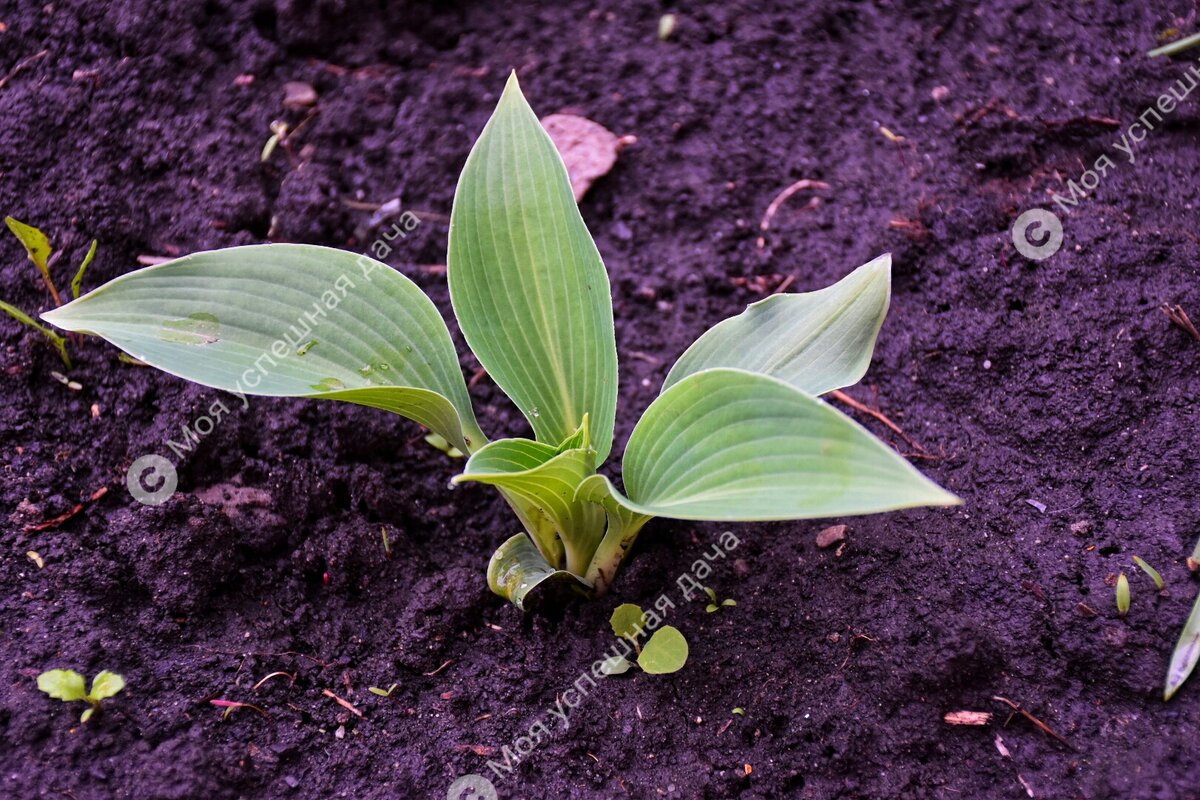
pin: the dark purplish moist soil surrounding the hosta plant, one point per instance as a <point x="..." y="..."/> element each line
<point x="1058" y="382"/>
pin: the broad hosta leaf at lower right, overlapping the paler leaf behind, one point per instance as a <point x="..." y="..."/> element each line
<point x="734" y="446"/>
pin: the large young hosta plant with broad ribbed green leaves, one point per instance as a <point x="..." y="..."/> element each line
<point x="739" y="434"/>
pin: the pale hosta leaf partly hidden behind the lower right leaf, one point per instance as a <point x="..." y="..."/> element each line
<point x="818" y="341"/>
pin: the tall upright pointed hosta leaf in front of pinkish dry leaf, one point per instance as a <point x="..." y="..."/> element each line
<point x="527" y="282"/>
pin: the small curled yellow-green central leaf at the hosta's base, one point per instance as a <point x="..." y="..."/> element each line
<point x="545" y="479"/>
